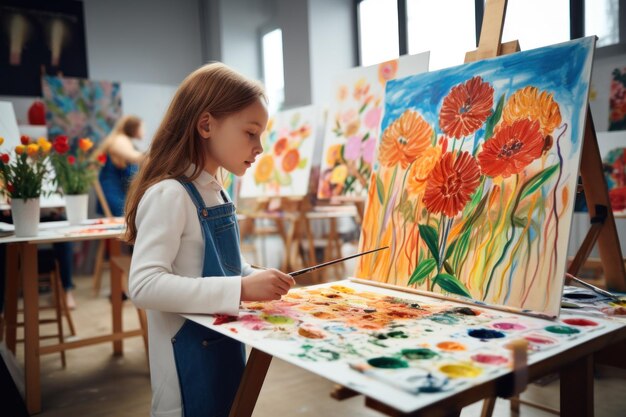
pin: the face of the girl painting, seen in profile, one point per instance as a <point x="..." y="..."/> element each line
<point x="234" y="142"/>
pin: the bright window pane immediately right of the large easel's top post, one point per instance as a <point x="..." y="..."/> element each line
<point x="537" y="23"/>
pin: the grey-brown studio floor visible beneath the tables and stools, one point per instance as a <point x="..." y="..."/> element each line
<point x="97" y="384"/>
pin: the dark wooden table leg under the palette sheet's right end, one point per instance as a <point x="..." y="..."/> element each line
<point x="577" y="388"/>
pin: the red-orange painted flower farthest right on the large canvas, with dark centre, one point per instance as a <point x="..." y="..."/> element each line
<point x="511" y="149"/>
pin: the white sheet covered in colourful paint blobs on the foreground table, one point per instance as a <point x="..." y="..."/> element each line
<point x="402" y="349"/>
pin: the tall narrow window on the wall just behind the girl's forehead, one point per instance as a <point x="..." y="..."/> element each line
<point x="273" y="69"/>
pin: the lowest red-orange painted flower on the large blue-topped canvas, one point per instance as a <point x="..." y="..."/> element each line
<point x="451" y="183"/>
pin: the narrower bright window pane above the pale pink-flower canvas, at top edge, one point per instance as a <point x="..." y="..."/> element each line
<point x="378" y="31"/>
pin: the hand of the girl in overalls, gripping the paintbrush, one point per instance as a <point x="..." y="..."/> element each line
<point x="266" y="285"/>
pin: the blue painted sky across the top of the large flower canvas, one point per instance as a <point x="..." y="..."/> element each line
<point x="563" y="70"/>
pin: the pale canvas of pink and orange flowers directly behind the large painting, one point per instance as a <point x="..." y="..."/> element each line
<point x="352" y="130"/>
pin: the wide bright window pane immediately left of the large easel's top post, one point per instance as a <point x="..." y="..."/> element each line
<point x="446" y="28"/>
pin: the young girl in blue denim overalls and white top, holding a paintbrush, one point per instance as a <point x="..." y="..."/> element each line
<point x="186" y="257"/>
